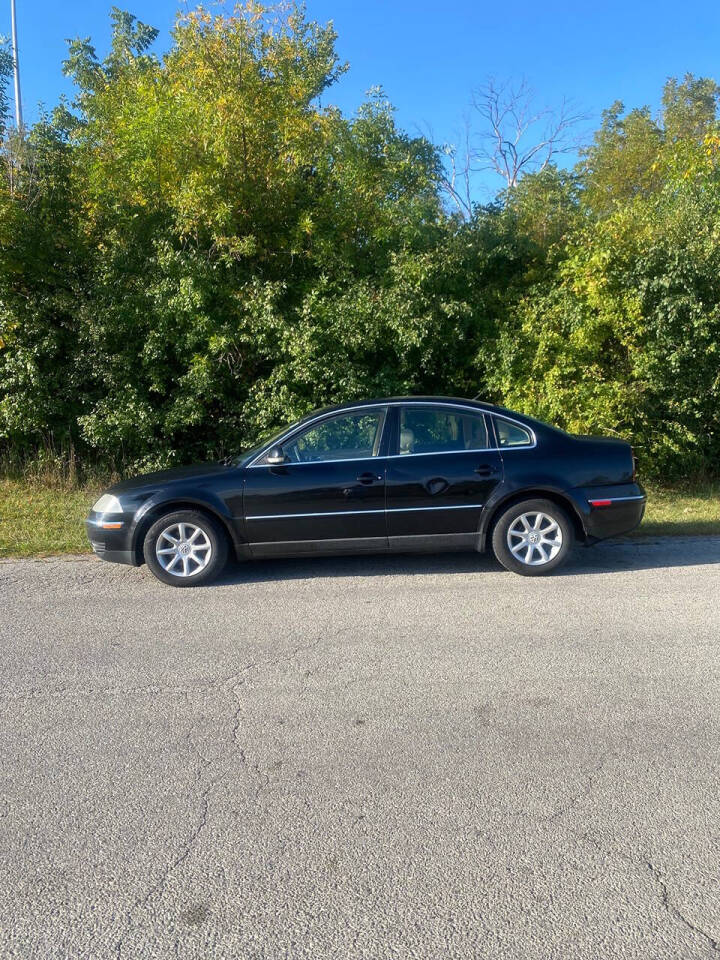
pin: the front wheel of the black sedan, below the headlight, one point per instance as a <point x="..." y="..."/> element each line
<point x="186" y="565"/>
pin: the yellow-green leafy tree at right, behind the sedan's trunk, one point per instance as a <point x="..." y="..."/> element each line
<point x="628" y="337"/>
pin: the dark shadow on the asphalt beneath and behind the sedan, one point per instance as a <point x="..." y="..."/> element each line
<point x="649" y="553"/>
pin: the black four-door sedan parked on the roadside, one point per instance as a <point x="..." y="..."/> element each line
<point x="394" y="475"/>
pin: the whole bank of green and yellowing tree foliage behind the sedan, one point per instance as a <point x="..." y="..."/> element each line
<point x="196" y="250"/>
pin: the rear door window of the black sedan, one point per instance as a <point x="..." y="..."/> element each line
<point x="439" y="430"/>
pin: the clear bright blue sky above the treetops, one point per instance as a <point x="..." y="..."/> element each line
<point x="429" y="56"/>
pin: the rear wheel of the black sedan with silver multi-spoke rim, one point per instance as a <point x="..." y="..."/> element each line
<point x="555" y="532"/>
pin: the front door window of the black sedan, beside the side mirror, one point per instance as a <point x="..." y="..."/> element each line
<point x="349" y="436"/>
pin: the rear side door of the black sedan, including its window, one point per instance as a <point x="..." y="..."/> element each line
<point x="441" y="472"/>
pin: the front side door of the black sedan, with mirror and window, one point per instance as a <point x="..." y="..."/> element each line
<point x="329" y="493"/>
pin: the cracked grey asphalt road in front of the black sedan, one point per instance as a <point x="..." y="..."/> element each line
<point x="410" y="757"/>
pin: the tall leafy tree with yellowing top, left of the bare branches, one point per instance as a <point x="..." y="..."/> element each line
<point x="217" y="216"/>
